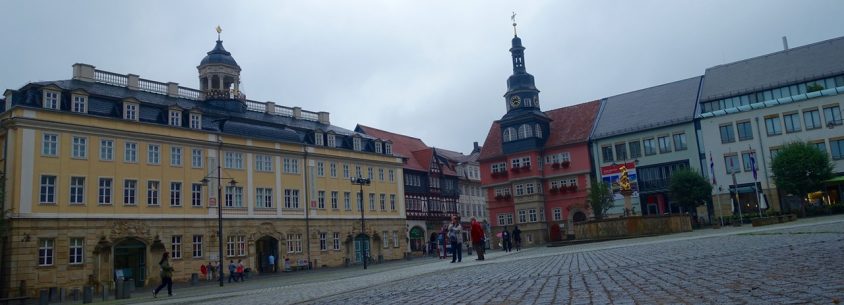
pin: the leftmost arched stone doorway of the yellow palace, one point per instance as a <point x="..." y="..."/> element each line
<point x="130" y="260"/>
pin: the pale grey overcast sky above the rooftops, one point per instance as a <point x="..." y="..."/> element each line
<point x="435" y="70"/>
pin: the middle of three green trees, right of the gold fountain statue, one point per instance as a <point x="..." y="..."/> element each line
<point x="689" y="189"/>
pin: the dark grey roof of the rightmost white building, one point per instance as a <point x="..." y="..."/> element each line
<point x="809" y="62"/>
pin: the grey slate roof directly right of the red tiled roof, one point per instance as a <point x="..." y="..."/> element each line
<point x="663" y="105"/>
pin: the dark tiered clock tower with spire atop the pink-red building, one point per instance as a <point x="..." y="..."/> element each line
<point x="524" y="126"/>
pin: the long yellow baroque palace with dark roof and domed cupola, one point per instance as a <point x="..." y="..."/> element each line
<point x="104" y="172"/>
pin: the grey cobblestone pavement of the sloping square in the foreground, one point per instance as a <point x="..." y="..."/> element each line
<point x="793" y="263"/>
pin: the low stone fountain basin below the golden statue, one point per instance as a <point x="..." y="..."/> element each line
<point x="632" y="227"/>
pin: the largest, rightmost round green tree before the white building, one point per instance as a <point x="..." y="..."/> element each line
<point x="800" y="168"/>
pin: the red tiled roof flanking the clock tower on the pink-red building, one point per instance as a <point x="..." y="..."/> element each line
<point x="569" y="125"/>
